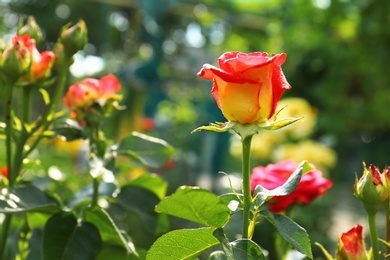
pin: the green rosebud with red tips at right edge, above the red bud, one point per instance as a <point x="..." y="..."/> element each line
<point x="372" y="187"/>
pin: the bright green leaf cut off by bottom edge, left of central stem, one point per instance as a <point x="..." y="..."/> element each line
<point x="182" y="244"/>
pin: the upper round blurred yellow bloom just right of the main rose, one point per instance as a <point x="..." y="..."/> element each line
<point x="297" y="107"/>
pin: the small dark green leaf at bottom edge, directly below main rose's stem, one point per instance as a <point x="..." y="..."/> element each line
<point x="246" y="249"/>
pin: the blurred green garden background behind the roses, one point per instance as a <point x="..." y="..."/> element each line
<point x="338" y="63"/>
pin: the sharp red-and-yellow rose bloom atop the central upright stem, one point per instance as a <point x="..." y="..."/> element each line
<point x="247" y="87"/>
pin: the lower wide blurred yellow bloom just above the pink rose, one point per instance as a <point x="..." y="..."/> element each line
<point x="317" y="153"/>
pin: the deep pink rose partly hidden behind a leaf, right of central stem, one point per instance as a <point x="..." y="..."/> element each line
<point x="311" y="185"/>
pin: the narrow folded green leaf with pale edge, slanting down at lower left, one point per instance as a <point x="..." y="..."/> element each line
<point x="108" y="230"/>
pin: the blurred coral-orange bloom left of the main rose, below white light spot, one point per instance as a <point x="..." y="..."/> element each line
<point x="82" y="97"/>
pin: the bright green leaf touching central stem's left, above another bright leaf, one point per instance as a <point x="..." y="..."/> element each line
<point x="197" y="205"/>
